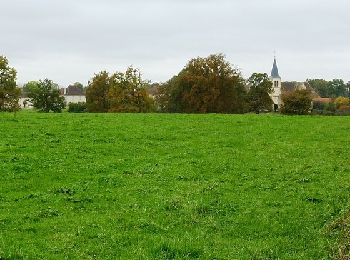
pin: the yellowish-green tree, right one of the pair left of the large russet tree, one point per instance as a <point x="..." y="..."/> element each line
<point x="128" y="92"/>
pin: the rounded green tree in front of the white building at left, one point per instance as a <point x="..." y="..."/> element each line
<point x="45" y="96"/>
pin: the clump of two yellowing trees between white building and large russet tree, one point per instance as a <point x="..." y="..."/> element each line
<point x="119" y="92"/>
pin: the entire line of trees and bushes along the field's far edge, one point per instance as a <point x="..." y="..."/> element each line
<point x="204" y="85"/>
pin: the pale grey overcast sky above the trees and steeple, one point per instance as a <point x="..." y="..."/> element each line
<point x="70" y="40"/>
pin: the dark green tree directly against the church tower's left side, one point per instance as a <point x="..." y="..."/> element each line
<point x="260" y="86"/>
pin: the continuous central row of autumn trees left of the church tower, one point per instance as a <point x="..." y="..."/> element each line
<point x="204" y="85"/>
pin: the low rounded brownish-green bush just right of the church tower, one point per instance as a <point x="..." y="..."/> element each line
<point x="297" y="102"/>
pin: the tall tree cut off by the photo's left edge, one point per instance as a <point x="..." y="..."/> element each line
<point x="9" y="93"/>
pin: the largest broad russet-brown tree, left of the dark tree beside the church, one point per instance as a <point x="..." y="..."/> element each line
<point x="205" y="85"/>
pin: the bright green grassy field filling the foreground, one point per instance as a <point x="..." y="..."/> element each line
<point x="157" y="186"/>
